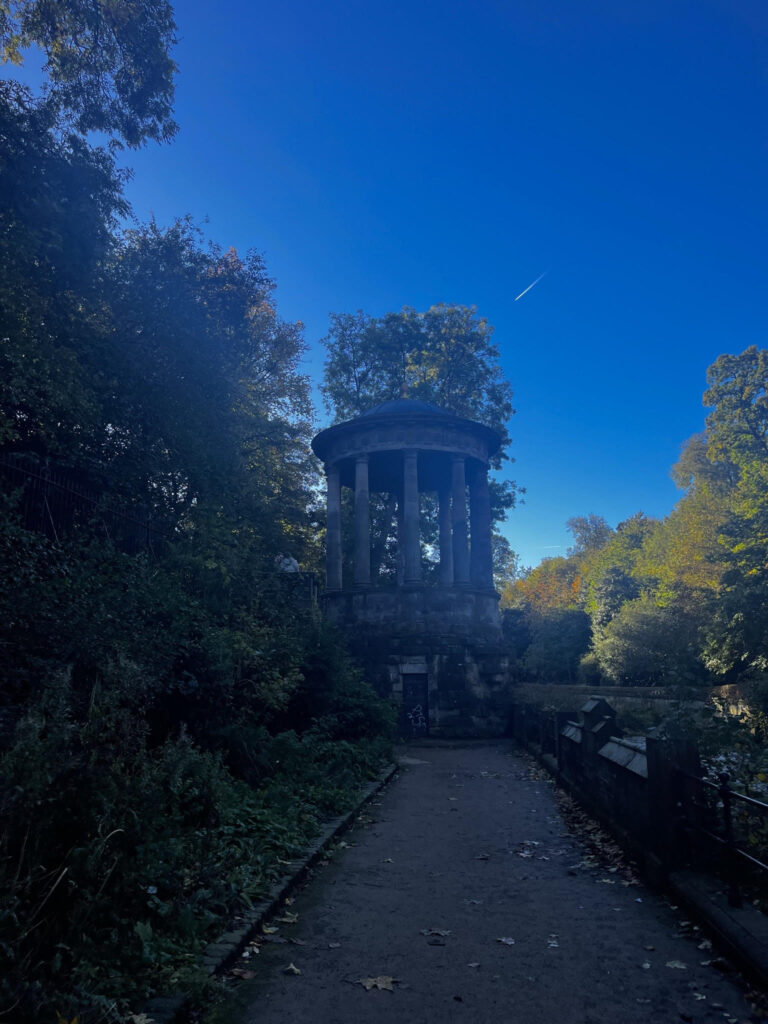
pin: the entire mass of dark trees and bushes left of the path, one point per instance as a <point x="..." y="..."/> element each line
<point x="176" y="719"/>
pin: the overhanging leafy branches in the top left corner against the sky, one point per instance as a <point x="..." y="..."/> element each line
<point x="108" y="62"/>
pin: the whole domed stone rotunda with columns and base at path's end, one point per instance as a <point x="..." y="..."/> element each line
<point x="434" y="648"/>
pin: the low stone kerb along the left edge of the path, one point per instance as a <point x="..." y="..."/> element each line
<point x="225" y="952"/>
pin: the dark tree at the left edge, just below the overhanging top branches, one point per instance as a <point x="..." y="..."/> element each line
<point x="59" y="207"/>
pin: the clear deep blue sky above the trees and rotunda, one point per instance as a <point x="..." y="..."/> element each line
<point x="437" y="152"/>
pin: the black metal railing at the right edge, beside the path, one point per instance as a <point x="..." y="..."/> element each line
<point x="728" y="827"/>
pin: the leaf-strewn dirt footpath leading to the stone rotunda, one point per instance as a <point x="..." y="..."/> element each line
<point x="462" y="885"/>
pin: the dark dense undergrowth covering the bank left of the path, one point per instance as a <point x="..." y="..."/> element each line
<point x="159" y="762"/>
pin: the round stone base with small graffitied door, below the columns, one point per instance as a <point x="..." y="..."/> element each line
<point x="435" y="653"/>
